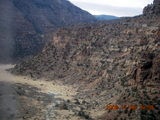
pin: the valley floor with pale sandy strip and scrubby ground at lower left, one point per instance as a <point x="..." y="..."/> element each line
<point x="29" y="99"/>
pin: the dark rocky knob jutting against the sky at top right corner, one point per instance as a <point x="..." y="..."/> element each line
<point x="153" y="9"/>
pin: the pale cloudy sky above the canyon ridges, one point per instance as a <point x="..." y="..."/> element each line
<point x="113" y="7"/>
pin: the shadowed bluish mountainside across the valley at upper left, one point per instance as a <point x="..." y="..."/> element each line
<point x="23" y="23"/>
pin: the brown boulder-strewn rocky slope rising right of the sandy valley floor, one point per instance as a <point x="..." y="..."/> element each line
<point x="116" y="63"/>
